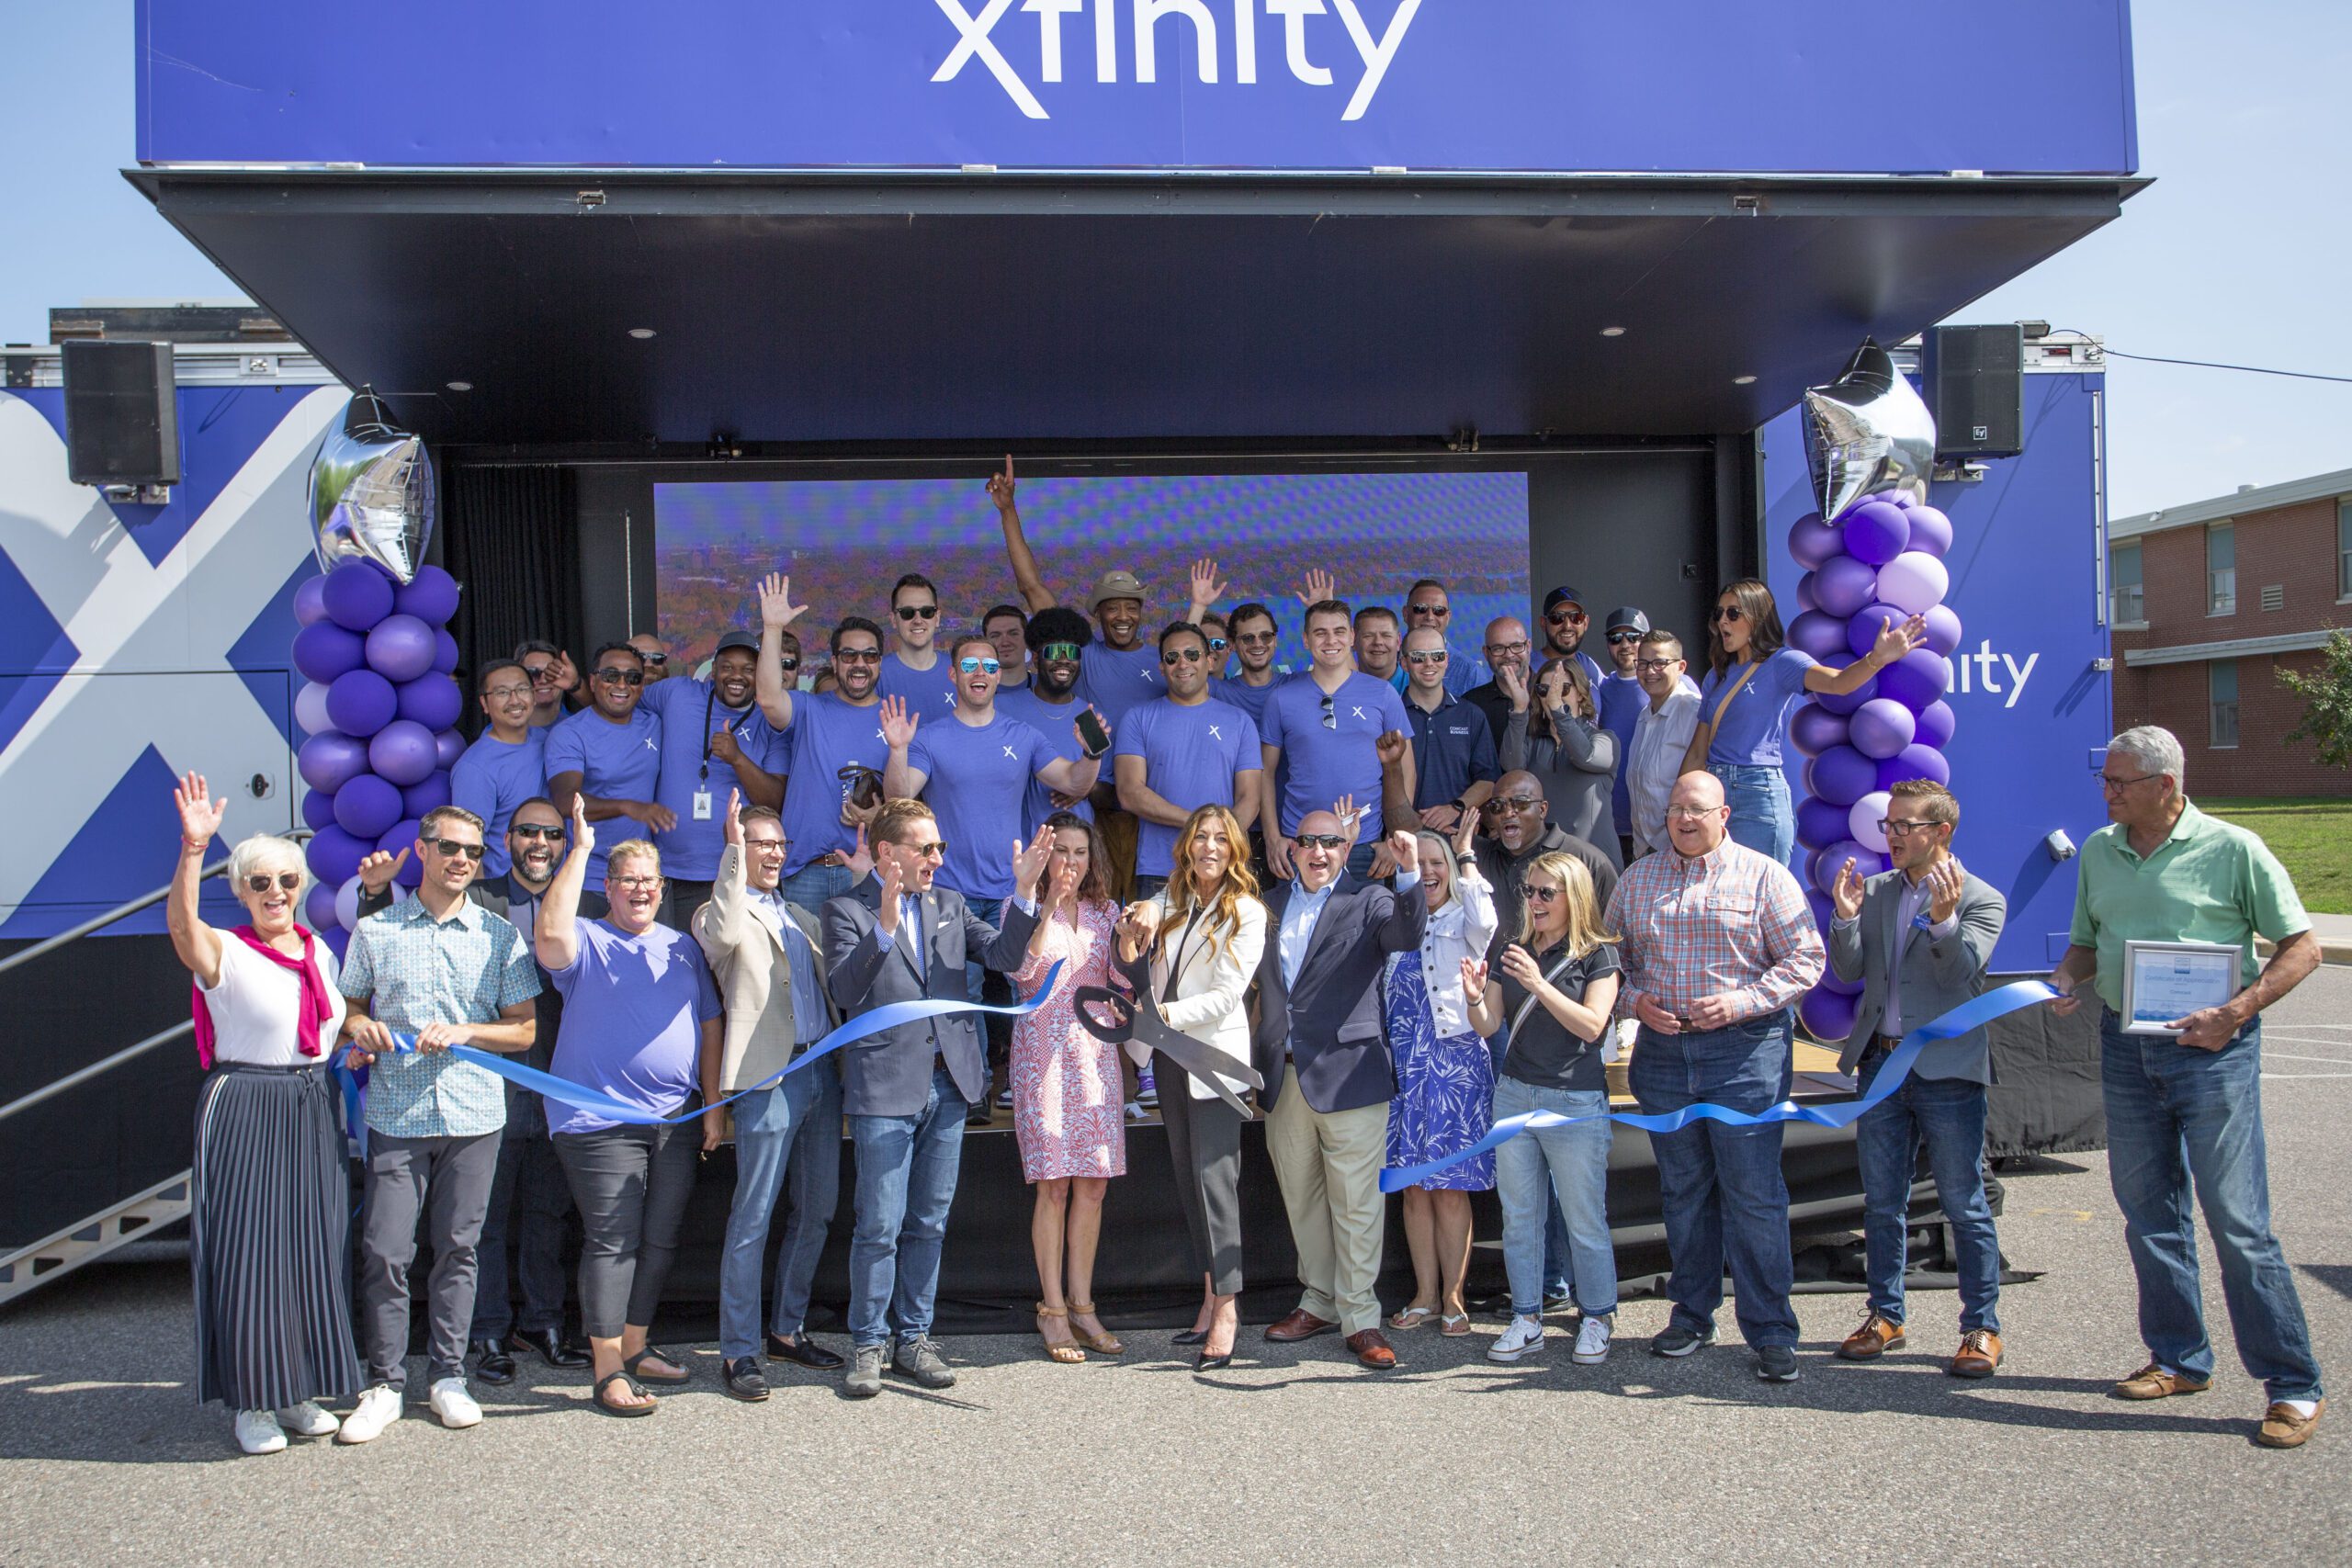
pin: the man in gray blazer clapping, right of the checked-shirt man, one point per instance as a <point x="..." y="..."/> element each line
<point x="1918" y="939"/>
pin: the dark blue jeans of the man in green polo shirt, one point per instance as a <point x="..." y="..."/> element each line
<point x="2174" y="1118"/>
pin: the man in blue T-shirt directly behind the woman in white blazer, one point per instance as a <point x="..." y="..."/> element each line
<point x="1182" y="753"/>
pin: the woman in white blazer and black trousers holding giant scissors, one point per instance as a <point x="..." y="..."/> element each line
<point x="1196" y="946"/>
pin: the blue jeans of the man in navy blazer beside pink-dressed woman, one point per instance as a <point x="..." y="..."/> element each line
<point x="907" y="1184"/>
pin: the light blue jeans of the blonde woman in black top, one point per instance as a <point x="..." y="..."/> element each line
<point x="1556" y="1172"/>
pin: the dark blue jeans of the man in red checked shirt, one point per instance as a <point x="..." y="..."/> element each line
<point x="1723" y="1186"/>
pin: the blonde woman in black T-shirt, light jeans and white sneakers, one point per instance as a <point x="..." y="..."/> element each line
<point x="1558" y="986"/>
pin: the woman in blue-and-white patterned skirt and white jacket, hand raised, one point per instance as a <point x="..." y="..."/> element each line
<point x="1445" y="1078"/>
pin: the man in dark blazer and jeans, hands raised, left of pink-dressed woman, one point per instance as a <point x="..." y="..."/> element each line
<point x="897" y="937"/>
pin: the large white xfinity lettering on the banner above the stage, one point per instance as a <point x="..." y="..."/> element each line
<point x="1172" y="22"/>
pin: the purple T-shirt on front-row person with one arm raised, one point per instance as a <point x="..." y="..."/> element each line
<point x="634" y="1012"/>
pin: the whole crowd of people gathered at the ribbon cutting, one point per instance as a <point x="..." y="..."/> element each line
<point x="1372" y="904"/>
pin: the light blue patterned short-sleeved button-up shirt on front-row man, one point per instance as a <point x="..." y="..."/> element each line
<point x="462" y="970"/>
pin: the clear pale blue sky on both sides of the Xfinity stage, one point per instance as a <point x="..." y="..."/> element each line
<point x="2240" y="250"/>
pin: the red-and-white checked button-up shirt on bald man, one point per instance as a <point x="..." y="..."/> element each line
<point x="1723" y="923"/>
